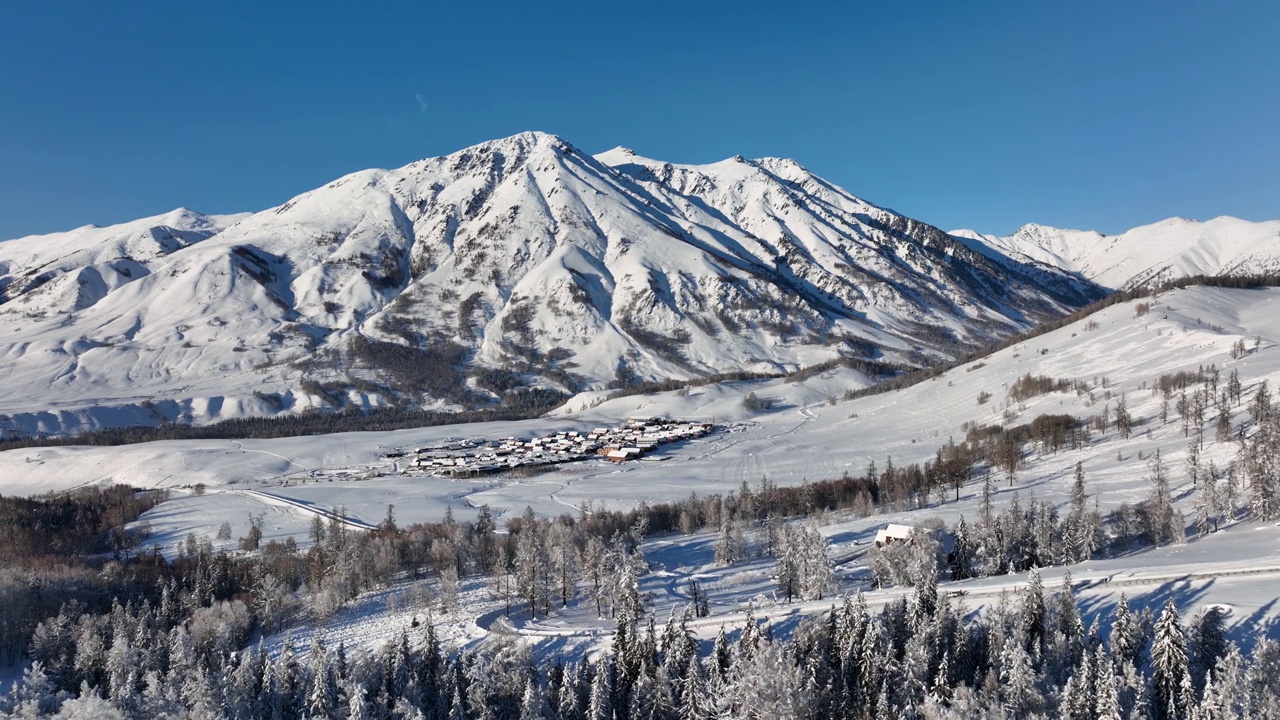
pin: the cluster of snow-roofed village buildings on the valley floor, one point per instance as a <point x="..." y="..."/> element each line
<point x="629" y="441"/>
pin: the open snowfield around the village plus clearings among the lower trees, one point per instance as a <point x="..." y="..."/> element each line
<point x="810" y="434"/>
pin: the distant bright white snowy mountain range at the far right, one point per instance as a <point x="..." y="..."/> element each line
<point x="1145" y="256"/>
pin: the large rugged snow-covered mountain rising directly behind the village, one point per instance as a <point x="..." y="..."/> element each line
<point x="458" y="281"/>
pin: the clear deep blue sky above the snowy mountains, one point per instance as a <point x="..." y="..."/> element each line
<point x="1076" y="115"/>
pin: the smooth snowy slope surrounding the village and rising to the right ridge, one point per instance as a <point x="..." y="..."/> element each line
<point x="811" y="434"/>
